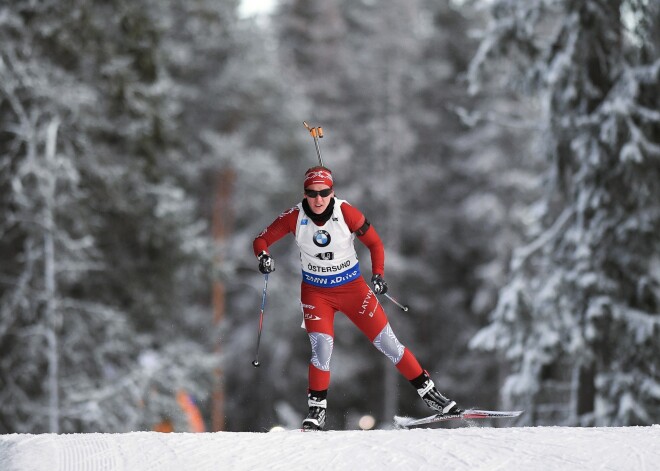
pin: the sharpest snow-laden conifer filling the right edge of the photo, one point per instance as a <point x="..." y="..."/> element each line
<point x="578" y="319"/>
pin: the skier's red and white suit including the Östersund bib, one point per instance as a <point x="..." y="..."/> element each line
<point x="332" y="282"/>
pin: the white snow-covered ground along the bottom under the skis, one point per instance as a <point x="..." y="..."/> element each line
<point x="470" y="448"/>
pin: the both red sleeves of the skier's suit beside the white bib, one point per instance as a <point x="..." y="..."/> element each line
<point x="286" y="223"/>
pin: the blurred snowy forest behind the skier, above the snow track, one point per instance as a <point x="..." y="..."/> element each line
<point x="508" y="153"/>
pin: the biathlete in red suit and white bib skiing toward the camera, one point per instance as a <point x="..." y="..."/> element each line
<point x="324" y="228"/>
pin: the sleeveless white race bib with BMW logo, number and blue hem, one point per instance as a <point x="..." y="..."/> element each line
<point x="327" y="253"/>
